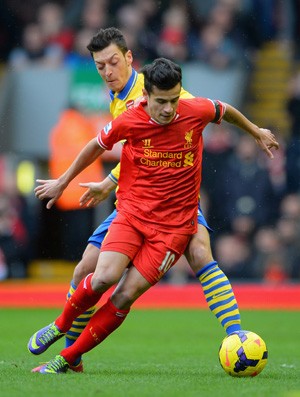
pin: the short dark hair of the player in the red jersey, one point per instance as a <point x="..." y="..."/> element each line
<point x="161" y="73"/>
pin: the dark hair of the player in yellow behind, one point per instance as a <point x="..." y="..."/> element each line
<point x="104" y="37"/>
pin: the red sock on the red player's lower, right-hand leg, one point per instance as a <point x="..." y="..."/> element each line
<point x="103" y="323"/>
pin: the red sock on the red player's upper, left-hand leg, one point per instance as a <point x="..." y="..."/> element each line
<point x="82" y="299"/>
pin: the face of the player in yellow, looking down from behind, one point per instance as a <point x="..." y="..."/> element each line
<point x="113" y="66"/>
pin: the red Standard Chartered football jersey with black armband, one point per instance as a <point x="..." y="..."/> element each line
<point x="161" y="164"/>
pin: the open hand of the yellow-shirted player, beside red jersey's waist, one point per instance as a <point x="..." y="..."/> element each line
<point x="96" y="192"/>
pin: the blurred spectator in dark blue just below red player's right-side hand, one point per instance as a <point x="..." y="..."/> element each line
<point x="246" y="196"/>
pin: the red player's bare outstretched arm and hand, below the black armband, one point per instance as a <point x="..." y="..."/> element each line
<point x="263" y="137"/>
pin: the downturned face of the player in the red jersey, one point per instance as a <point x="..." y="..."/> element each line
<point x="162" y="104"/>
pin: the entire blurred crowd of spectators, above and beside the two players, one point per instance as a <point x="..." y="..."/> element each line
<point x="251" y="202"/>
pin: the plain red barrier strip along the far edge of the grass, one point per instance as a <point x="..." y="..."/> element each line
<point x="162" y="296"/>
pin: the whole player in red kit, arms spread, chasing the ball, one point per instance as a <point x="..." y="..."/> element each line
<point x="157" y="201"/>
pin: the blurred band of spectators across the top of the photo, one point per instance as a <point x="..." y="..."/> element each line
<point x="218" y="32"/>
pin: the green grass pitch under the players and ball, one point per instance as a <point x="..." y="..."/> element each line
<point x="155" y="353"/>
